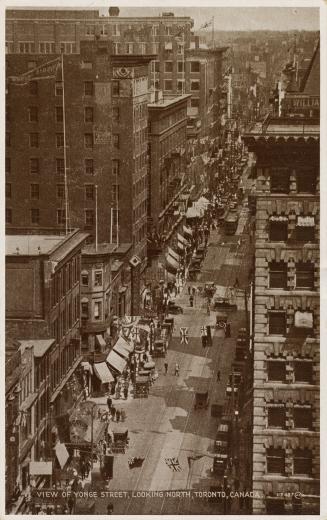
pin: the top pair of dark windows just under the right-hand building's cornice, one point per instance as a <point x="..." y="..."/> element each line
<point x="306" y="180"/>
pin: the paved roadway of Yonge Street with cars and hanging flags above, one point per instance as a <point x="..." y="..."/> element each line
<point x="166" y="426"/>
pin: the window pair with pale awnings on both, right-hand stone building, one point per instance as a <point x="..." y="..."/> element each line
<point x="305" y="229"/>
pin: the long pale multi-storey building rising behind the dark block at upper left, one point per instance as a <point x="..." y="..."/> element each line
<point x="184" y="65"/>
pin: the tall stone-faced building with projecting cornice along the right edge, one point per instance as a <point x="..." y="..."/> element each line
<point x="285" y="401"/>
